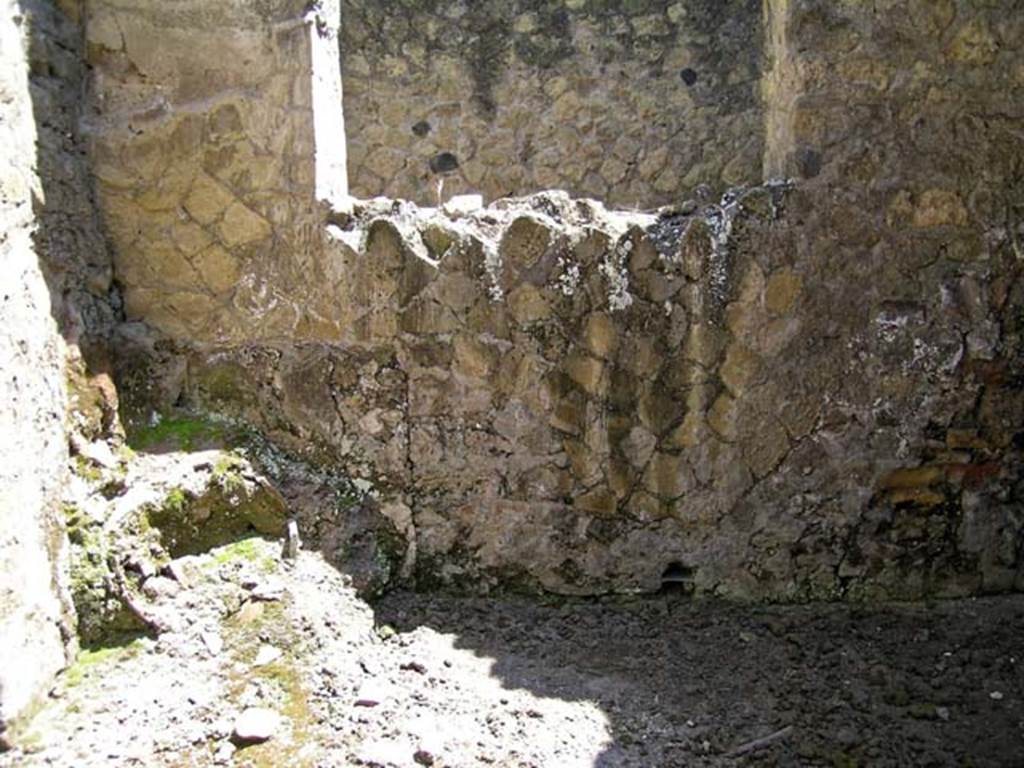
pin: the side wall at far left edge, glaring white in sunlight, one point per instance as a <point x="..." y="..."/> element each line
<point x="34" y="616"/>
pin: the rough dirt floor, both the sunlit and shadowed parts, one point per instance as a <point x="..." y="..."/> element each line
<point x="448" y="681"/>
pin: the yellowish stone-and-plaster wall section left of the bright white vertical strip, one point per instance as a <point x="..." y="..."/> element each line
<point x="201" y="123"/>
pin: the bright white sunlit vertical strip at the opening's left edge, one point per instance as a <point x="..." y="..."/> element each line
<point x="329" y="117"/>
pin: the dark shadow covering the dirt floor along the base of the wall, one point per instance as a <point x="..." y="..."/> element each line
<point x="686" y="684"/>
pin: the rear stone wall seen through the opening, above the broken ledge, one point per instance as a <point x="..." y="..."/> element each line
<point x="634" y="103"/>
